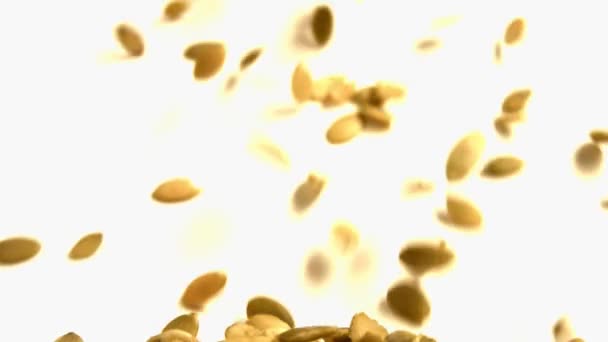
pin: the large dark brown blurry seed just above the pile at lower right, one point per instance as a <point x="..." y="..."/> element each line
<point x="408" y="302"/>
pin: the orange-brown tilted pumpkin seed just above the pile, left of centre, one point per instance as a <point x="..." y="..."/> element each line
<point x="202" y="289"/>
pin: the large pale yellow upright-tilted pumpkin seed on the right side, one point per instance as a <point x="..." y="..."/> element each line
<point x="464" y="156"/>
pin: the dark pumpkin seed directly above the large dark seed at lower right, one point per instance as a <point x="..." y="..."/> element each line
<point x="421" y="258"/>
